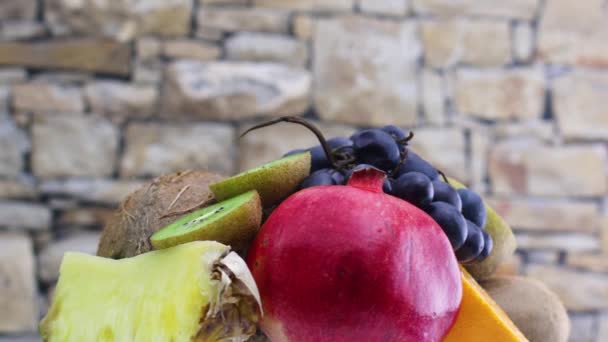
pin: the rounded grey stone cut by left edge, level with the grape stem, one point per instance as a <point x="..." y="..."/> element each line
<point x="14" y="143"/>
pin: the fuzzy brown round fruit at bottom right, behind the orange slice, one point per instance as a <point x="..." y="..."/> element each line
<point x="534" y="309"/>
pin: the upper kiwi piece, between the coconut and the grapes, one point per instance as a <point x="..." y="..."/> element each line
<point x="274" y="181"/>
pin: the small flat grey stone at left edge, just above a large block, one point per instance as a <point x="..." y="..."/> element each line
<point x="22" y="215"/>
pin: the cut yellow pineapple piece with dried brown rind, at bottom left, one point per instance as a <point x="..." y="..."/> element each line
<point x="199" y="291"/>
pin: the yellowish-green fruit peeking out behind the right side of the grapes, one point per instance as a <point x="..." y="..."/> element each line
<point x="502" y="236"/>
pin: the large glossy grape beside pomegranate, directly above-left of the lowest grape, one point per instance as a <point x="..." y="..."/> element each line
<point x="450" y="220"/>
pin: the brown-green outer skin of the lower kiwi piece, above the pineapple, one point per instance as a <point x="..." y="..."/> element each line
<point x="236" y="229"/>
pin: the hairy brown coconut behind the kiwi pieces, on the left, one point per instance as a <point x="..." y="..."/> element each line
<point x="152" y="207"/>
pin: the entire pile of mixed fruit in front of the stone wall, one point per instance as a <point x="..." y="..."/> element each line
<point x="357" y="239"/>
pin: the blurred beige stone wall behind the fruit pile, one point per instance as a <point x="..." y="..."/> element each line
<point x="97" y="96"/>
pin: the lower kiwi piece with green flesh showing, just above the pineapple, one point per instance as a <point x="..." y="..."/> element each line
<point x="233" y="222"/>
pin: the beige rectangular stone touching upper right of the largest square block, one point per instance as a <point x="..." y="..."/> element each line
<point x="461" y="41"/>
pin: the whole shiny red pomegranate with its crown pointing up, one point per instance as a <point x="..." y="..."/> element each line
<point x="350" y="263"/>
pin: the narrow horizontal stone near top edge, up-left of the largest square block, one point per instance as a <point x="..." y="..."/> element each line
<point x="243" y="19"/>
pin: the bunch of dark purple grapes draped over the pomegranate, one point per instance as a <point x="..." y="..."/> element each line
<point x="460" y="213"/>
